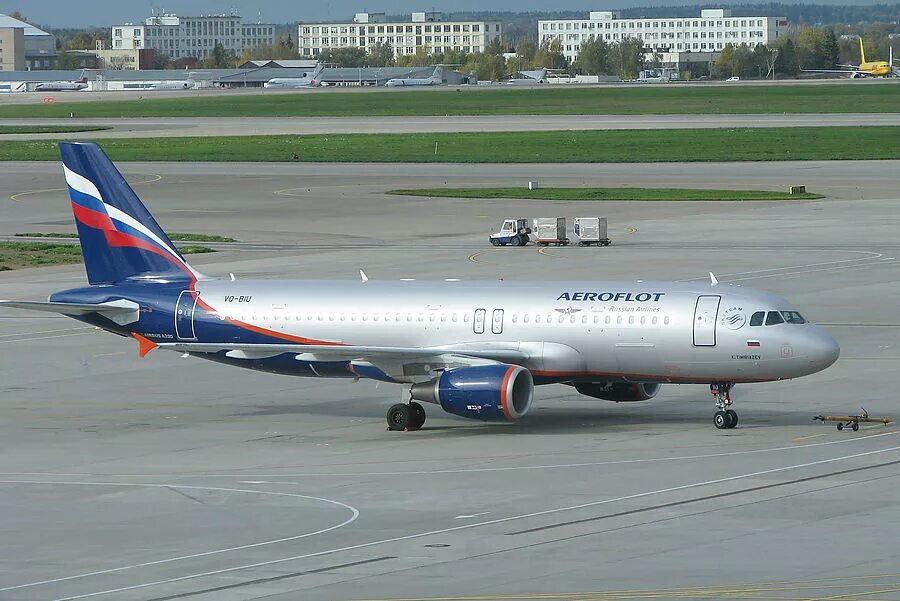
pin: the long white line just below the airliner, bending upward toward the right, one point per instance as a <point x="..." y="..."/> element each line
<point x="552" y="466"/>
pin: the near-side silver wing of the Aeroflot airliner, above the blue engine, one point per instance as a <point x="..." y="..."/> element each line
<point x="404" y="364"/>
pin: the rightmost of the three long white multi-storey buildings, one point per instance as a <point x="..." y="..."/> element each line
<point x="669" y="37"/>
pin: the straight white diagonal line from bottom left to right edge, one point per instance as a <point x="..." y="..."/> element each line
<point x="475" y="525"/>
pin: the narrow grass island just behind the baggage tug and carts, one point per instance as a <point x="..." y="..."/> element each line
<point x="606" y="194"/>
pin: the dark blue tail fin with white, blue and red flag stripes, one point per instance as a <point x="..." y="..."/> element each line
<point x="120" y="240"/>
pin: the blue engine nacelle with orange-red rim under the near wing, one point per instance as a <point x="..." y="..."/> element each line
<point x="485" y="392"/>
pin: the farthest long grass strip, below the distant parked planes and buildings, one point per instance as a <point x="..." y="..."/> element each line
<point x="674" y="99"/>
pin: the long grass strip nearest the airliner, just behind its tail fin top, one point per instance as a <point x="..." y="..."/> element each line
<point x="747" y="144"/>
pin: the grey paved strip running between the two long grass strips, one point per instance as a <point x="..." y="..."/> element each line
<point x="270" y="126"/>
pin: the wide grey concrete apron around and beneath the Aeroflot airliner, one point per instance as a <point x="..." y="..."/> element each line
<point x="170" y="478"/>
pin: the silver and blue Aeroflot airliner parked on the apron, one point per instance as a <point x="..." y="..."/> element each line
<point x="477" y="349"/>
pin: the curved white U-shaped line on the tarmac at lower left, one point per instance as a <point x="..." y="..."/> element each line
<point x="354" y="514"/>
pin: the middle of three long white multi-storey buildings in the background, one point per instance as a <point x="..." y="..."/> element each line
<point x="425" y="30"/>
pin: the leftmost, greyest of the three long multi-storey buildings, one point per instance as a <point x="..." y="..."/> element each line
<point x="181" y="37"/>
